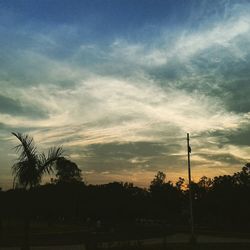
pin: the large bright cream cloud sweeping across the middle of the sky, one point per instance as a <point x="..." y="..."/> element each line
<point x="106" y="109"/>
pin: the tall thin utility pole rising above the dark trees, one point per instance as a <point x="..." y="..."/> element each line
<point x="192" y="238"/>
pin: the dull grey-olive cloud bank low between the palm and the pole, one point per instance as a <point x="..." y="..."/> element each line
<point x="128" y="158"/>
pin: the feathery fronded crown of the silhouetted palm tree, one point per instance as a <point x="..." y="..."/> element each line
<point x="31" y="165"/>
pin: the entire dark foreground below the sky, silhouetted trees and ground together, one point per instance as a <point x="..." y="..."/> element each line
<point x="117" y="215"/>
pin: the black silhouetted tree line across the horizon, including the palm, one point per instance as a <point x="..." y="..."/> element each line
<point x="222" y="202"/>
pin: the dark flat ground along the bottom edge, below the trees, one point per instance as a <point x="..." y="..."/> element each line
<point x="124" y="236"/>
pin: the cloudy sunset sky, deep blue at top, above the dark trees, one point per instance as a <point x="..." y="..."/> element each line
<point x="119" y="84"/>
